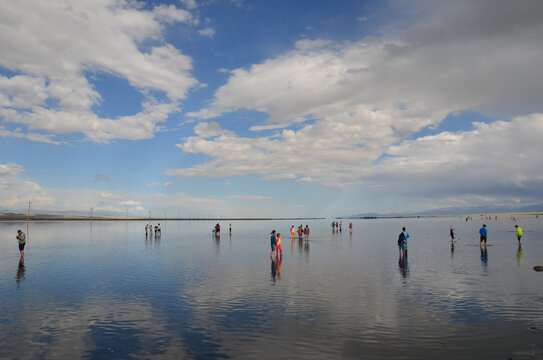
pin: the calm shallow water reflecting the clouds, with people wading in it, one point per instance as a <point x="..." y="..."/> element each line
<point x="102" y="290"/>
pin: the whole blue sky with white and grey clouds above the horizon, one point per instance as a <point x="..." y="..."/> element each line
<point x="237" y="108"/>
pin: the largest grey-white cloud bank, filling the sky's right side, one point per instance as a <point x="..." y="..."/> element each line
<point x="343" y="107"/>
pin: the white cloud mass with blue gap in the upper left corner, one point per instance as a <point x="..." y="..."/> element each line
<point x="64" y="41"/>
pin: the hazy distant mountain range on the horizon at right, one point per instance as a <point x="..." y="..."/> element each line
<point x="461" y="210"/>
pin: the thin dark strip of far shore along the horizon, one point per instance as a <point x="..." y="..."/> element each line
<point x="39" y="217"/>
